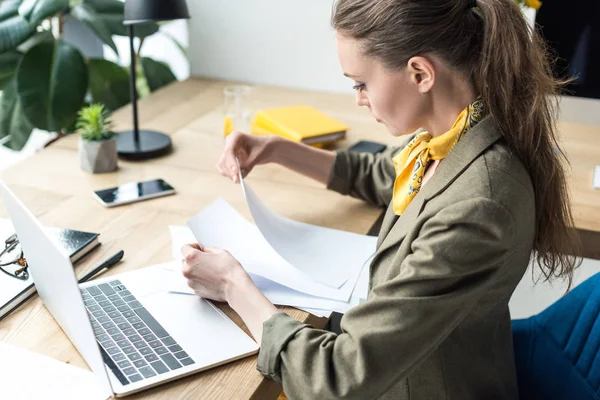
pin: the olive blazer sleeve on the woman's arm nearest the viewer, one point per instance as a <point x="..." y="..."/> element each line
<point x="454" y="259"/>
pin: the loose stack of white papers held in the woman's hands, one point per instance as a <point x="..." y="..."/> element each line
<point x="313" y="268"/>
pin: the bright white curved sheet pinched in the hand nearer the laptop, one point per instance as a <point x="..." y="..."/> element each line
<point x="220" y="225"/>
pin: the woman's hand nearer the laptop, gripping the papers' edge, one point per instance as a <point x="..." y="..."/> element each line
<point x="210" y="271"/>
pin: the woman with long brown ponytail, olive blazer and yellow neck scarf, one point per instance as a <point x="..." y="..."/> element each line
<point x="471" y="196"/>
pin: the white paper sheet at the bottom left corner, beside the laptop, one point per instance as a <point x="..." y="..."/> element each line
<point x="26" y="375"/>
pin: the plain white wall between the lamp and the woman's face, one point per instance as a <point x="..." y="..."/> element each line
<point x="275" y="42"/>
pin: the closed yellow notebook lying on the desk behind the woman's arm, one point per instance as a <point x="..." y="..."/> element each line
<point x="299" y="124"/>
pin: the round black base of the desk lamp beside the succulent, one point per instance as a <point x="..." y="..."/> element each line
<point x="152" y="144"/>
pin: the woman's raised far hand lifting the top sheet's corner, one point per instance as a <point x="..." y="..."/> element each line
<point x="250" y="150"/>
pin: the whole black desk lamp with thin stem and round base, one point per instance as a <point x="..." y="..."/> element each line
<point x="145" y="144"/>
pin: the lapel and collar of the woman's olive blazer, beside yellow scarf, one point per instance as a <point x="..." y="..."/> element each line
<point x="469" y="148"/>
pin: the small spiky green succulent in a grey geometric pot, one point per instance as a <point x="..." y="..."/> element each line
<point x="97" y="143"/>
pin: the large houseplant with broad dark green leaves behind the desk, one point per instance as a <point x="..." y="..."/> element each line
<point x="46" y="81"/>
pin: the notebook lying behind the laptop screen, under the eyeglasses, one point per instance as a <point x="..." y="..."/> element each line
<point x="14" y="292"/>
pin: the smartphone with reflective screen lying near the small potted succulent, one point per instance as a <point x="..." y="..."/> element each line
<point x="133" y="192"/>
